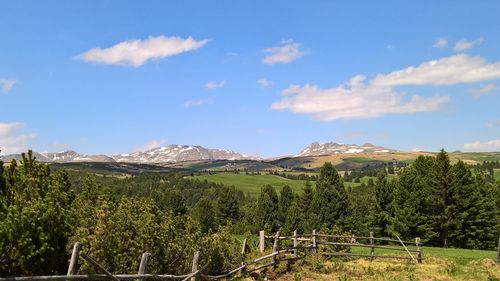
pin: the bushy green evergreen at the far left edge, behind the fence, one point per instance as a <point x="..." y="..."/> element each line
<point x="34" y="228"/>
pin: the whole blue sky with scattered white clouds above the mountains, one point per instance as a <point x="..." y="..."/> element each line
<point x="260" y="77"/>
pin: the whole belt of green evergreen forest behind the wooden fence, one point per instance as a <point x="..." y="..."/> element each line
<point x="45" y="210"/>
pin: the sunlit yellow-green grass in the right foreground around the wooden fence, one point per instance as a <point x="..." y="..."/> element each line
<point x="438" y="264"/>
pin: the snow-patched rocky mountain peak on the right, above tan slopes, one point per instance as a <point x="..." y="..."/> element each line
<point x="330" y="148"/>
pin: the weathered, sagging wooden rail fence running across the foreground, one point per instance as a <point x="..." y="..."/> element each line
<point x="284" y="249"/>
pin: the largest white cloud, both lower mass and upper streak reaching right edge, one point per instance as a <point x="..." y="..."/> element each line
<point x="377" y="97"/>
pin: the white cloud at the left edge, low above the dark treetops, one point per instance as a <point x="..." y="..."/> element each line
<point x="11" y="140"/>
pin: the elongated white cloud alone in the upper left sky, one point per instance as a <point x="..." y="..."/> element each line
<point x="138" y="52"/>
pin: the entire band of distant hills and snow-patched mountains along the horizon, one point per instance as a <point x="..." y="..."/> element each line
<point x="187" y="158"/>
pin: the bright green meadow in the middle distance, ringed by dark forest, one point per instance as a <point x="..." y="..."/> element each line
<point x="252" y="184"/>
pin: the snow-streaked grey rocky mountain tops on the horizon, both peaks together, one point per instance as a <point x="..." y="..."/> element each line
<point x="185" y="153"/>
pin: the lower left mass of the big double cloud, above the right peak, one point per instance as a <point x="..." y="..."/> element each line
<point x="353" y="100"/>
